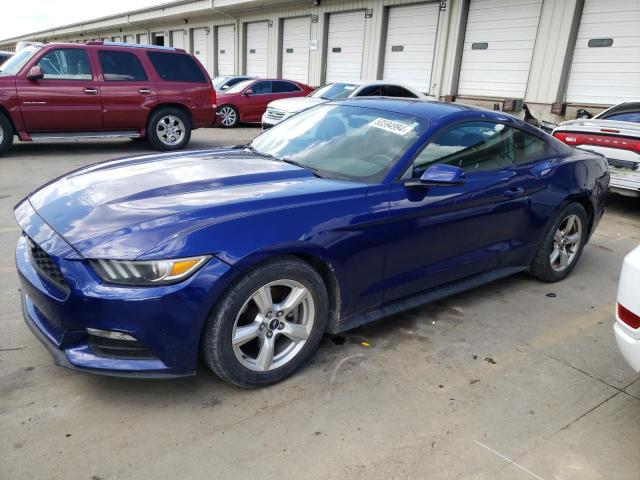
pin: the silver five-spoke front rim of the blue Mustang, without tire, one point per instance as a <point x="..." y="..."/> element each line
<point x="273" y="325"/>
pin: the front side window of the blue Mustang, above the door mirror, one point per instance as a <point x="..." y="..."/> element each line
<point x="472" y="146"/>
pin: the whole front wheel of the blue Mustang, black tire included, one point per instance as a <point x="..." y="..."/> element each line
<point x="246" y="364"/>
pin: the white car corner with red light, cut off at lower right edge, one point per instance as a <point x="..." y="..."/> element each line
<point x="627" y="325"/>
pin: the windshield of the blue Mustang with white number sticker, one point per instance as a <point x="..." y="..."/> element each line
<point x="342" y="141"/>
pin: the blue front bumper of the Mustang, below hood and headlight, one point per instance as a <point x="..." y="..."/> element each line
<point x="165" y="320"/>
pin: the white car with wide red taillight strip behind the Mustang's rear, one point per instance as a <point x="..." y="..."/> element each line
<point x="614" y="133"/>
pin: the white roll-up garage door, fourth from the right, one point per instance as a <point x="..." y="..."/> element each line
<point x="345" y="46"/>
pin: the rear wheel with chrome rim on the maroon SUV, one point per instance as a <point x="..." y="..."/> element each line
<point x="169" y="129"/>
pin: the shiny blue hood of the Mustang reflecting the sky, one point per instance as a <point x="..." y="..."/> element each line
<point x="122" y="208"/>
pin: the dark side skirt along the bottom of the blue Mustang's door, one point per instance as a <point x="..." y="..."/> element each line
<point x="429" y="296"/>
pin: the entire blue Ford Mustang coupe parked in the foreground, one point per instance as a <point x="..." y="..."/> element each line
<point x="341" y="215"/>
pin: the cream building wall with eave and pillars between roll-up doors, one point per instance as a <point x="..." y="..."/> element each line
<point x="547" y="77"/>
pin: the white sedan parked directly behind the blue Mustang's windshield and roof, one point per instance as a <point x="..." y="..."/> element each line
<point x="278" y="110"/>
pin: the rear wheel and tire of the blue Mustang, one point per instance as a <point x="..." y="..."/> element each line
<point x="570" y="224"/>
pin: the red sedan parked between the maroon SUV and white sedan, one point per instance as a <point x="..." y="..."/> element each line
<point x="248" y="100"/>
